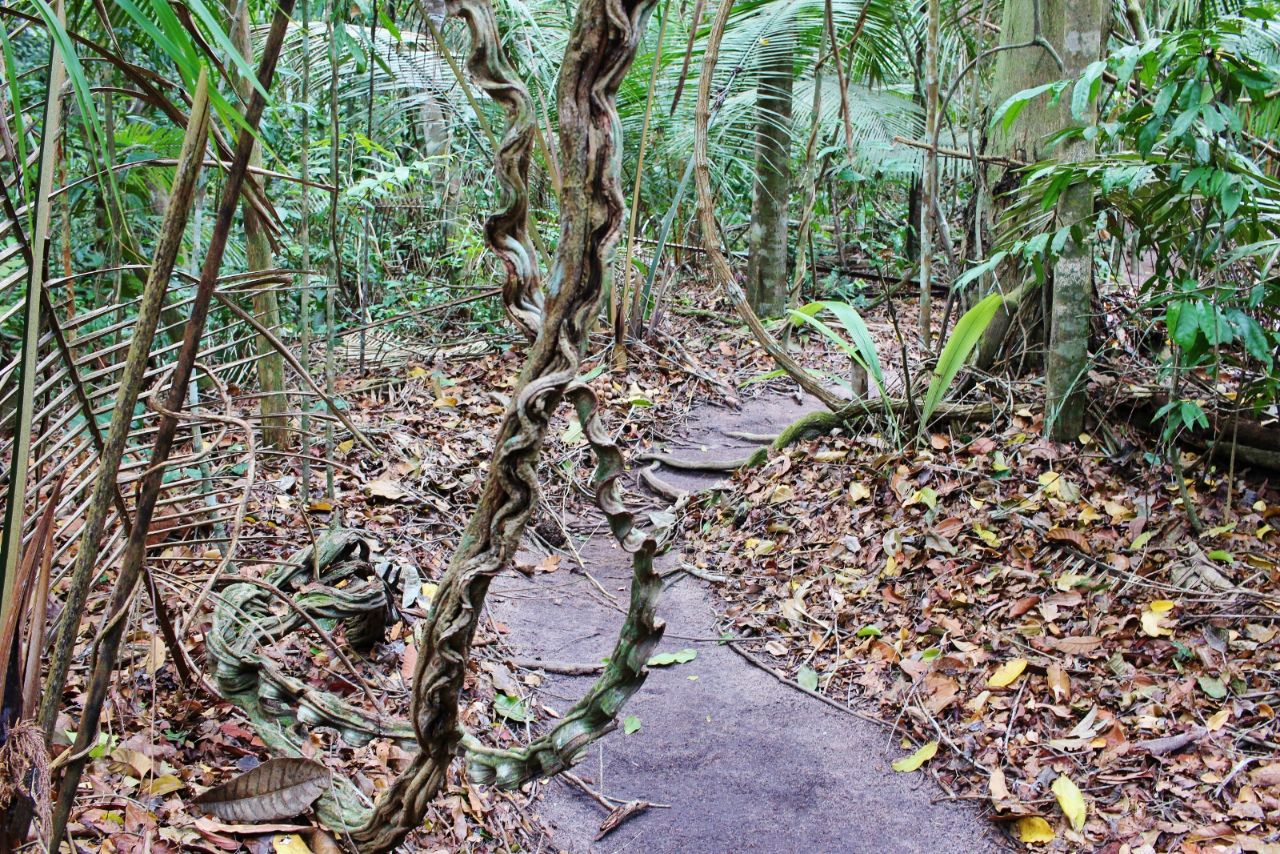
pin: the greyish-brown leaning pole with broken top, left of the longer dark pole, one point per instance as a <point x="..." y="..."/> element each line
<point x="131" y="383"/>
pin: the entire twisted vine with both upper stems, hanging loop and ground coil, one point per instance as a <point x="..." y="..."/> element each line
<point x="601" y="49"/>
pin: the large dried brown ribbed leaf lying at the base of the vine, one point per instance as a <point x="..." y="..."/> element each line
<point x="277" y="789"/>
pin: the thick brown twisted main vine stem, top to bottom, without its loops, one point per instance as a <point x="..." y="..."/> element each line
<point x="600" y="52"/>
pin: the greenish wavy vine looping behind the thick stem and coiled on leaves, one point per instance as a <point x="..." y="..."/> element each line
<point x="244" y="620"/>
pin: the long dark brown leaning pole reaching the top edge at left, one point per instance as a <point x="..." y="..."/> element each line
<point x="149" y="492"/>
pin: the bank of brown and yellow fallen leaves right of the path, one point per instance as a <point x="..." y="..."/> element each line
<point x="1099" y="675"/>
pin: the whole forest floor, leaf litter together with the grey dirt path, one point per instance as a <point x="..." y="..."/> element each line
<point x="890" y="643"/>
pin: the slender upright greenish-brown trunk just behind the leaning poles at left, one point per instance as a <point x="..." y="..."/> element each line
<point x="258" y="250"/>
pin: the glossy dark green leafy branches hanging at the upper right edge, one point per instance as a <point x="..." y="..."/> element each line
<point x="1182" y="135"/>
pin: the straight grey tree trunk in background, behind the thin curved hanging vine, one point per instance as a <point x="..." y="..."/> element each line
<point x="767" y="267"/>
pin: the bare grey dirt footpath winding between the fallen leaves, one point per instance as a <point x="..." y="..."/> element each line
<point x="746" y="762"/>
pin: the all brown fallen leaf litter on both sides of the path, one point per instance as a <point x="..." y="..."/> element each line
<point x="1040" y="625"/>
